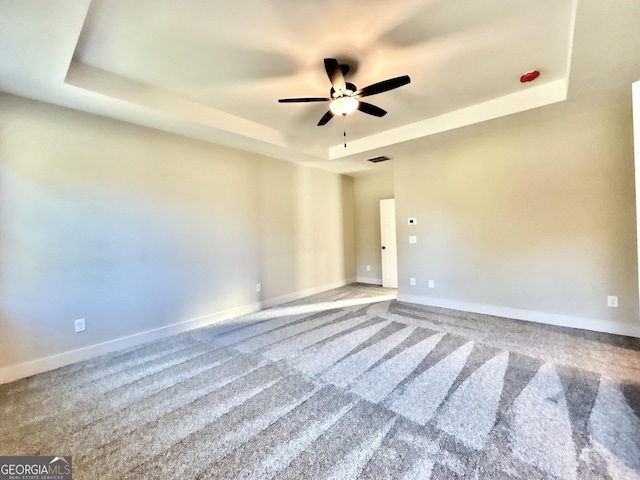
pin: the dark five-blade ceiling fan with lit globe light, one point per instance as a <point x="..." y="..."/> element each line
<point x="345" y="97"/>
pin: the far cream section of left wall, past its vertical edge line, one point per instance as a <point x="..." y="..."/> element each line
<point x="307" y="232"/>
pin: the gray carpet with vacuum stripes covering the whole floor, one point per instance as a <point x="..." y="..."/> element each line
<point x="344" y="384"/>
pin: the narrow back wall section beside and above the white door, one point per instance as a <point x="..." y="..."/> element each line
<point x="368" y="191"/>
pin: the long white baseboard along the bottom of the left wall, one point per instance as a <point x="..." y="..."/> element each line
<point x="26" y="369"/>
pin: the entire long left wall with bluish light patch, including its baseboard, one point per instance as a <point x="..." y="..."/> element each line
<point x="137" y="231"/>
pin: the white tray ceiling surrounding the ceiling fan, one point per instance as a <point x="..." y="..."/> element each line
<point x="214" y="70"/>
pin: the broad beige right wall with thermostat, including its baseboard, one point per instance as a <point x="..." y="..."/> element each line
<point x="535" y="222"/>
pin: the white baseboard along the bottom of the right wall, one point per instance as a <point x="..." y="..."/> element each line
<point x="605" y="326"/>
